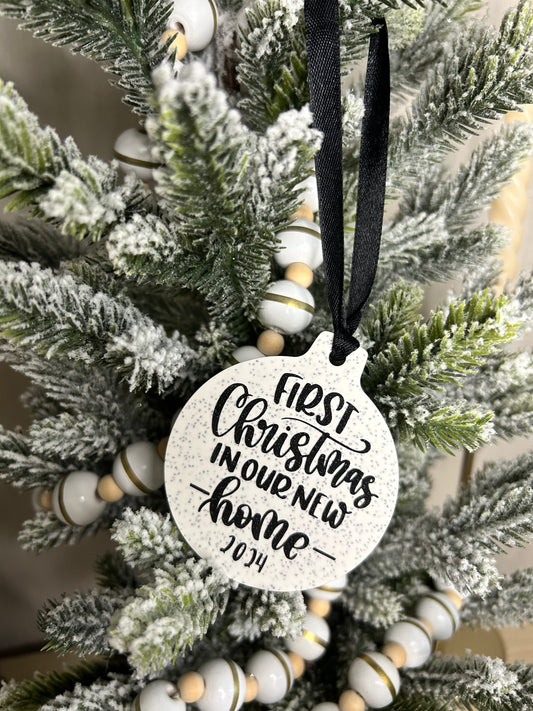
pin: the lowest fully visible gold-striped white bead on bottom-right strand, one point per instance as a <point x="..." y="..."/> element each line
<point x="374" y="677"/>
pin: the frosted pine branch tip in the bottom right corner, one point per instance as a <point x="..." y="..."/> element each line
<point x="475" y="682"/>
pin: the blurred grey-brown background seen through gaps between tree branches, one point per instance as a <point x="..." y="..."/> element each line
<point x="73" y="95"/>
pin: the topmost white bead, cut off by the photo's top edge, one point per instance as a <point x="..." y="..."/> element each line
<point x="198" y="20"/>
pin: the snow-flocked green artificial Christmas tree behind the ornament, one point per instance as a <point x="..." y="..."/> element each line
<point x="118" y="299"/>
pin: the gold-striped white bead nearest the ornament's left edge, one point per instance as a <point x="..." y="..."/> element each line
<point x="138" y="469"/>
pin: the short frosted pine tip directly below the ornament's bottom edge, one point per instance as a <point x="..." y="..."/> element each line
<point x="252" y="613"/>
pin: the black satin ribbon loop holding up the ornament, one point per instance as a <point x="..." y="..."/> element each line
<point x="323" y="57"/>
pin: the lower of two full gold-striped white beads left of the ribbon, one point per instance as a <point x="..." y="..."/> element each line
<point x="286" y="307"/>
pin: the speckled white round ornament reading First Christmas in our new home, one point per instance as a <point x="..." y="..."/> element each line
<point x="282" y="471"/>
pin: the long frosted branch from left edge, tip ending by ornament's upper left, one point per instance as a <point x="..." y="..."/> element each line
<point x="55" y="314"/>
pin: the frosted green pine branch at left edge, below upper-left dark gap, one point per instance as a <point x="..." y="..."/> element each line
<point x="51" y="174"/>
